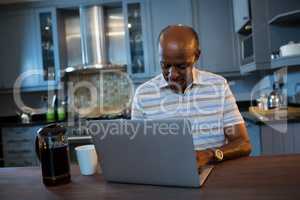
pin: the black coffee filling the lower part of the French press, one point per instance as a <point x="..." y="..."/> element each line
<point x="55" y="165"/>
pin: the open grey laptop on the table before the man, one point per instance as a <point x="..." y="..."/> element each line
<point x="155" y="152"/>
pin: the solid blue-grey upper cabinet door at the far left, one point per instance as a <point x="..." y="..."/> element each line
<point x="18" y="50"/>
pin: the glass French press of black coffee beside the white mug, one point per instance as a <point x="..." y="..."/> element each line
<point x="53" y="152"/>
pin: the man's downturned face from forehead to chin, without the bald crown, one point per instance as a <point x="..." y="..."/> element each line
<point x="177" y="67"/>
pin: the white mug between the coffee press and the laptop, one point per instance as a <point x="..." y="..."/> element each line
<point x="87" y="159"/>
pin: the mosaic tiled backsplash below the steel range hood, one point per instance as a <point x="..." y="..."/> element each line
<point x="113" y="92"/>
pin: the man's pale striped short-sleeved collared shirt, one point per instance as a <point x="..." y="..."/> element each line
<point x="208" y="103"/>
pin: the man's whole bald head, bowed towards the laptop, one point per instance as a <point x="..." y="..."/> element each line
<point x="179" y="51"/>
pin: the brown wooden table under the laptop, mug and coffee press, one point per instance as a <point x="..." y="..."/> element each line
<point x="276" y="177"/>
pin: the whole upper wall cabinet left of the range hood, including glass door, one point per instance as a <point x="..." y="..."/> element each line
<point x="21" y="50"/>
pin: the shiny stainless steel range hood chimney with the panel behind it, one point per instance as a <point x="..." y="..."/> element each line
<point x="88" y="43"/>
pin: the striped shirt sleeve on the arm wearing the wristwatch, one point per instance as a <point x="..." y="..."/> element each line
<point x="231" y="113"/>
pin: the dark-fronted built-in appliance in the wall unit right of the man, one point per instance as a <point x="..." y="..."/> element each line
<point x="247" y="55"/>
